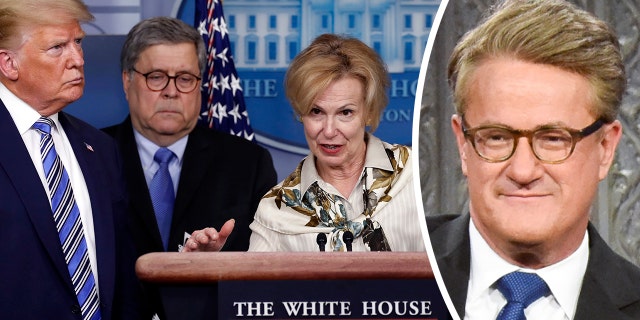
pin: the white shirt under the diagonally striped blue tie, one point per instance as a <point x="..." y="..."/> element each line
<point x="24" y="116"/>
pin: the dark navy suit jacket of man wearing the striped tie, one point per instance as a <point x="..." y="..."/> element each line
<point x="34" y="280"/>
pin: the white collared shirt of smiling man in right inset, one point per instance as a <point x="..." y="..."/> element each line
<point x="564" y="279"/>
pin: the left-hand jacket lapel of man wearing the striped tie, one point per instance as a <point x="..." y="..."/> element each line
<point x="17" y="164"/>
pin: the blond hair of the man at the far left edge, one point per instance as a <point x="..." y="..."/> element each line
<point x="16" y="16"/>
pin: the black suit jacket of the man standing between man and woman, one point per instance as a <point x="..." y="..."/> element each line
<point x="222" y="177"/>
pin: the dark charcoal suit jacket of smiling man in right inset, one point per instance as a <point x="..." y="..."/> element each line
<point x="610" y="288"/>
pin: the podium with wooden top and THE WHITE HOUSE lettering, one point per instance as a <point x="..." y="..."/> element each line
<point x="296" y="285"/>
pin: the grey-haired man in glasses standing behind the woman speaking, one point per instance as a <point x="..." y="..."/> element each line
<point x="182" y="177"/>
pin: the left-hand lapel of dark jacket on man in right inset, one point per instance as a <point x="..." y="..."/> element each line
<point x="450" y="244"/>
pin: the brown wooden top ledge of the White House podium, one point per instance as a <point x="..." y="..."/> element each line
<point x="174" y="267"/>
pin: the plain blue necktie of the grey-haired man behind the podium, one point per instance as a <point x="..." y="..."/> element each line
<point x="162" y="194"/>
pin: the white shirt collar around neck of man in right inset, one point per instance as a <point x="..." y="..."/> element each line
<point x="563" y="278"/>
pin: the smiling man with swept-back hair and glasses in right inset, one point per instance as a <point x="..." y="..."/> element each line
<point x="537" y="87"/>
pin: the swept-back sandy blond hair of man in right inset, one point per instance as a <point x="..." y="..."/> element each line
<point x="551" y="32"/>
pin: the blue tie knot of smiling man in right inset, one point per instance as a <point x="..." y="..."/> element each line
<point x="520" y="289"/>
